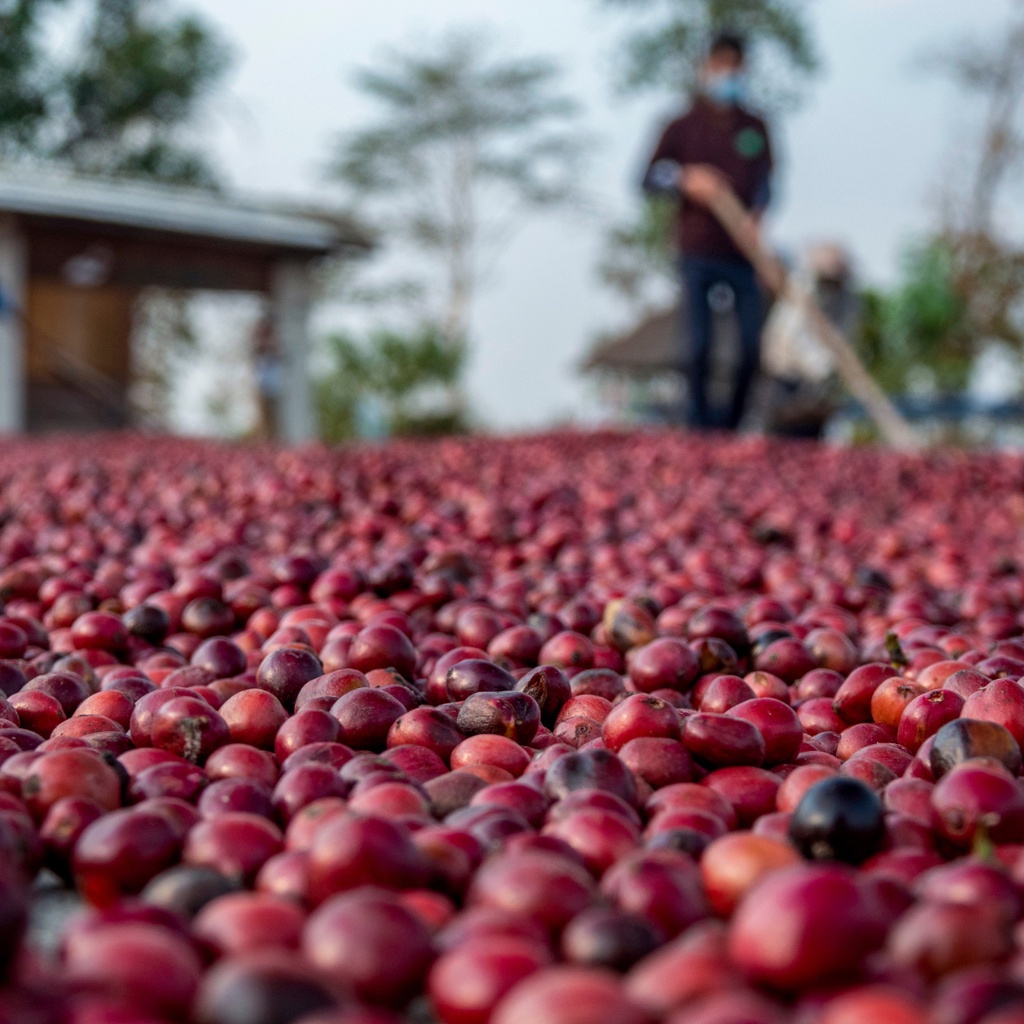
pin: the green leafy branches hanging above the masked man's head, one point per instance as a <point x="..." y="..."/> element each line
<point x="670" y="40"/>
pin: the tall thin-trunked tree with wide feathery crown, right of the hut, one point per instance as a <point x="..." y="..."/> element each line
<point x="464" y="146"/>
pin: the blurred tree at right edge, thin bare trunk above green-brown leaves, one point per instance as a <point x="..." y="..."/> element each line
<point x="962" y="290"/>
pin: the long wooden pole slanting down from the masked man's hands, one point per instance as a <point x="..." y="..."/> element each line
<point x="738" y="222"/>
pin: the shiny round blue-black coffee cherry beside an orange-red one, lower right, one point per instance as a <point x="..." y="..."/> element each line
<point x="839" y="819"/>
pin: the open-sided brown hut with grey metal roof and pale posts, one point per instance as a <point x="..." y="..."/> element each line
<point x="75" y="254"/>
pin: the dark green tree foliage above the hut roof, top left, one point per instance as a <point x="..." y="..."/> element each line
<point x="122" y="102"/>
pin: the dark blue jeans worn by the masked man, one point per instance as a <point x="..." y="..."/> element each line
<point x="700" y="276"/>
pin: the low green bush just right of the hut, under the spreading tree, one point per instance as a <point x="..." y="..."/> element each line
<point x="403" y="372"/>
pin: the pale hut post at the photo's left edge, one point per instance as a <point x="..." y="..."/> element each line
<point x="13" y="304"/>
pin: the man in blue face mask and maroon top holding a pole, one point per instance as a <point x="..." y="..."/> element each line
<point x="718" y="142"/>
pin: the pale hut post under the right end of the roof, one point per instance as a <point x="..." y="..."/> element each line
<point x="291" y="290"/>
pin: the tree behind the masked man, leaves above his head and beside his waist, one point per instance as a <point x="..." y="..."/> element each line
<point x="665" y="54"/>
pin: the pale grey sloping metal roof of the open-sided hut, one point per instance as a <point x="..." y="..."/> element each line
<point x="53" y="195"/>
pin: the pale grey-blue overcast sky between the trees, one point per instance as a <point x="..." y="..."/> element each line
<point x="862" y="161"/>
